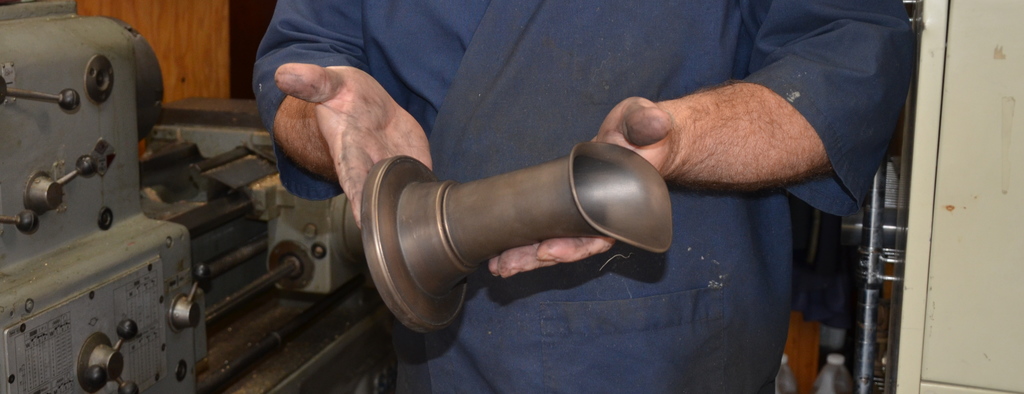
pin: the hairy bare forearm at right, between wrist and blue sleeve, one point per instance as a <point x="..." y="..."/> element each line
<point x="741" y="137"/>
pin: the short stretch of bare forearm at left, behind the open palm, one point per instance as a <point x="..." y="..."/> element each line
<point x="298" y="136"/>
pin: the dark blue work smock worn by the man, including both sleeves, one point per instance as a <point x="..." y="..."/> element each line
<point x="503" y="85"/>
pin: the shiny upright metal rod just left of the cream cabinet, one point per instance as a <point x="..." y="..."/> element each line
<point x="871" y="276"/>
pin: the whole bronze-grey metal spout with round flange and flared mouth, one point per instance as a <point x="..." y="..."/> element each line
<point x="422" y="237"/>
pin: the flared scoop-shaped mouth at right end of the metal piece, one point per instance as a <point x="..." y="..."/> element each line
<point x="622" y="196"/>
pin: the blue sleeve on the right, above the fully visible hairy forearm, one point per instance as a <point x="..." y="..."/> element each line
<point x="846" y="67"/>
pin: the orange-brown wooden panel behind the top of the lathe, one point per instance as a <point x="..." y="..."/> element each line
<point x="191" y="38"/>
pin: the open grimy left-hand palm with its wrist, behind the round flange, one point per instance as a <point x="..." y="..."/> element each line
<point x="338" y="122"/>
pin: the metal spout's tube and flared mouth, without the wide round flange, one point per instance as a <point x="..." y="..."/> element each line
<point x="599" y="190"/>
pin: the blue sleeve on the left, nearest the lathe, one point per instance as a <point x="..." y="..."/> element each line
<point x="323" y="33"/>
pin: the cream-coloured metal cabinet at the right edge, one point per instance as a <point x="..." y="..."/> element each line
<point x="963" y="310"/>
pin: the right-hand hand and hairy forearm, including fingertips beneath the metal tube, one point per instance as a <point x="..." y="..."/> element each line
<point x="737" y="138"/>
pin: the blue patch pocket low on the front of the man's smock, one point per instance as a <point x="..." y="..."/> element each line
<point x="654" y="345"/>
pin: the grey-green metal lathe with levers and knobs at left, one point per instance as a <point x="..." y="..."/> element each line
<point x="176" y="268"/>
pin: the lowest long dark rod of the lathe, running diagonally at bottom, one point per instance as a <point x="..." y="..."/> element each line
<point x="274" y="340"/>
